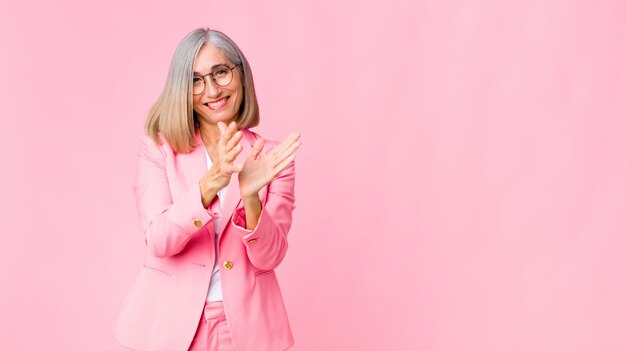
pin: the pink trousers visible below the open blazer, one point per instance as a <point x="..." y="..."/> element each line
<point x="212" y="333"/>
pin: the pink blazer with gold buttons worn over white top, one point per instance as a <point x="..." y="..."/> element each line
<point x="162" y="309"/>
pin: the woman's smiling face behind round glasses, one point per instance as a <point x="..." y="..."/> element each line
<point x="216" y="103"/>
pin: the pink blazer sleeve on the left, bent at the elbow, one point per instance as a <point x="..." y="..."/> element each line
<point x="168" y="224"/>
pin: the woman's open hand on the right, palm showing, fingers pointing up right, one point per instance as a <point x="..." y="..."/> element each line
<point x="259" y="171"/>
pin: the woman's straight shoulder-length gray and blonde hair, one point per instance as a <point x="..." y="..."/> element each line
<point x="172" y="115"/>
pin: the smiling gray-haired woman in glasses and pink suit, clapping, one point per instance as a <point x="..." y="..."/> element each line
<point x="215" y="202"/>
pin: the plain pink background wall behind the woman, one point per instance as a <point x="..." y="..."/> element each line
<point x="461" y="184"/>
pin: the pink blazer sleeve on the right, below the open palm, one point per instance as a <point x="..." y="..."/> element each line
<point x="266" y="245"/>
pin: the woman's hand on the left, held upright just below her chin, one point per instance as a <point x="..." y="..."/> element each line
<point x="223" y="167"/>
